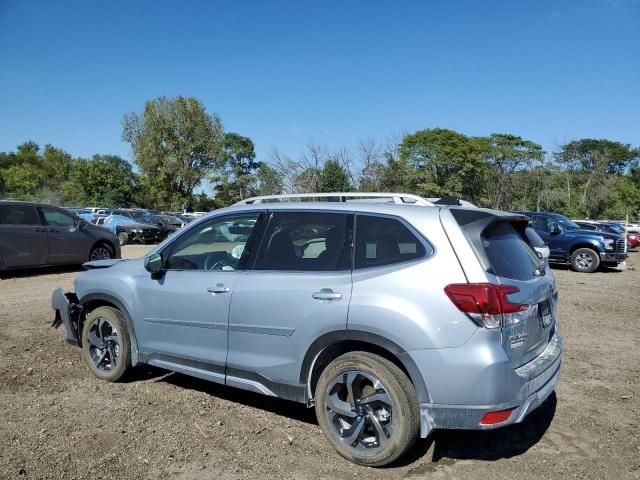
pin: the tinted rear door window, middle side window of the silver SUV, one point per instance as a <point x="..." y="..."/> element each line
<point x="306" y="241"/>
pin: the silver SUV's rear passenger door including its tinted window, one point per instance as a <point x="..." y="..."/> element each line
<point x="298" y="289"/>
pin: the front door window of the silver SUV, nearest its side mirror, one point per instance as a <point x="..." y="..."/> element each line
<point x="217" y="244"/>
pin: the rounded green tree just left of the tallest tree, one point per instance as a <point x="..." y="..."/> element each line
<point x="105" y="181"/>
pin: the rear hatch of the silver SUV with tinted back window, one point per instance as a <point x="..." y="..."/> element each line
<point x="509" y="260"/>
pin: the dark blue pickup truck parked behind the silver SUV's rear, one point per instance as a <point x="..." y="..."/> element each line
<point x="584" y="250"/>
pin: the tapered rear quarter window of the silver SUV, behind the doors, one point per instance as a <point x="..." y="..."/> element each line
<point x="385" y="241"/>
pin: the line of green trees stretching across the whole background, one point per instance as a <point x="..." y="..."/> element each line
<point x="178" y="148"/>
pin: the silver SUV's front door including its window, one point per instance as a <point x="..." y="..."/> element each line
<point x="182" y="315"/>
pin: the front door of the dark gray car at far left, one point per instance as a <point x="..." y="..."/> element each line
<point x="67" y="243"/>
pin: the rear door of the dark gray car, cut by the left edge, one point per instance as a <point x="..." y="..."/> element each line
<point x="23" y="239"/>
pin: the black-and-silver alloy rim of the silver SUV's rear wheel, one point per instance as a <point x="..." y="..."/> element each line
<point x="360" y="411"/>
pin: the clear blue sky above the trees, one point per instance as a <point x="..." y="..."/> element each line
<point x="285" y="73"/>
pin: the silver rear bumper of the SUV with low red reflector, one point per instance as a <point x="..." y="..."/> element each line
<point x="530" y="386"/>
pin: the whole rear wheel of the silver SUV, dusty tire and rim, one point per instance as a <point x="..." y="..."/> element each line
<point x="367" y="408"/>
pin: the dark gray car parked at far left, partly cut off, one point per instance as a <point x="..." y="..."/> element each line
<point x="36" y="235"/>
